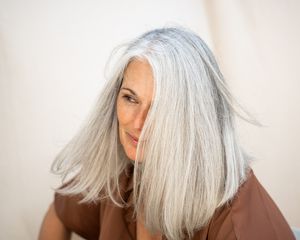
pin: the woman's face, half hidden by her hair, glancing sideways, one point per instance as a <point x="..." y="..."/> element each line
<point x="133" y="102"/>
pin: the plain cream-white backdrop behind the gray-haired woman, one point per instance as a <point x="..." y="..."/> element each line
<point x="52" y="58"/>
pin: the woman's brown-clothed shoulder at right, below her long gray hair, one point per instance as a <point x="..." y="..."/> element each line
<point x="251" y="214"/>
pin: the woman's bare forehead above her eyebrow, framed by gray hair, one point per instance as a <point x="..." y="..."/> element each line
<point x="138" y="76"/>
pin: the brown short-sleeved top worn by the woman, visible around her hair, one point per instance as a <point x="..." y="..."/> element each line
<point x="251" y="215"/>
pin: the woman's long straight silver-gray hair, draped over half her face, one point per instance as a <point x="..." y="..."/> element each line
<point x="191" y="161"/>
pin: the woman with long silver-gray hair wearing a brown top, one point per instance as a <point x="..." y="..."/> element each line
<point x="159" y="157"/>
